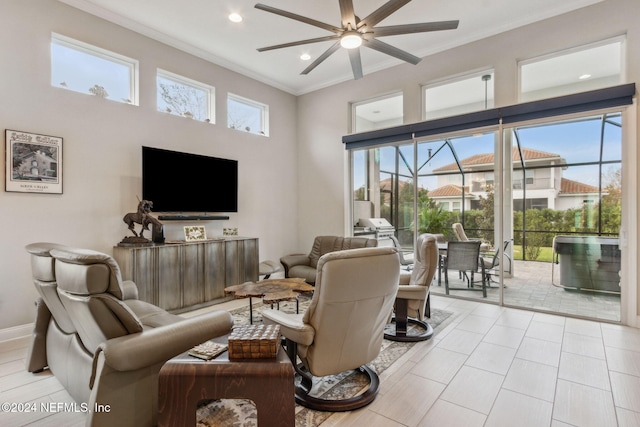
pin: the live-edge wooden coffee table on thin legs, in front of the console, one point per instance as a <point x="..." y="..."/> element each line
<point x="271" y="291"/>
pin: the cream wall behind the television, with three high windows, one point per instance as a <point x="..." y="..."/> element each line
<point x="102" y="140"/>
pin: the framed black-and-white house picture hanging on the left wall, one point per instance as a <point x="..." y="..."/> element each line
<point x="33" y="163"/>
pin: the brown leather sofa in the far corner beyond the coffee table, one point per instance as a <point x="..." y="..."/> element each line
<point x="305" y="266"/>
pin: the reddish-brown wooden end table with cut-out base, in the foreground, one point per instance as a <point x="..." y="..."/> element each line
<point x="186" y="380"/>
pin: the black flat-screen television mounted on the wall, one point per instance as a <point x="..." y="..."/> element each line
<point x="179" y="182"/>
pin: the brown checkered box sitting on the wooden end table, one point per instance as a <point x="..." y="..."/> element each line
<point x="254" y="342"/>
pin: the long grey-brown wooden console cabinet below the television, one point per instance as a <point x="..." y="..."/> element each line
<point x="183" y="275"/>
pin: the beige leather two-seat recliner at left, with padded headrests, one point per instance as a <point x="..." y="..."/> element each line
<point x="104" y="345"/>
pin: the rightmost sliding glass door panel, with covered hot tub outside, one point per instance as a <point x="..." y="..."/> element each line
<point x="566" y="188"/>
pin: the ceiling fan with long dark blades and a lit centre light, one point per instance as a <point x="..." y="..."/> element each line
<point x="355" y="32"/>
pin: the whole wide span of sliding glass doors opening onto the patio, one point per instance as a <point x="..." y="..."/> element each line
<point x="543" y="198"/>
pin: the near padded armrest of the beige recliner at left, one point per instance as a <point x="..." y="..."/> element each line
<point x="149" y="347"/>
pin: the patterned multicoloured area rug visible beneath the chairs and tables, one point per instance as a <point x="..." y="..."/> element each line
<point x="242" y="413"/>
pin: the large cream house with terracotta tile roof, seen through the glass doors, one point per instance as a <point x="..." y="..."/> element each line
<point x="545" y="188"/>
